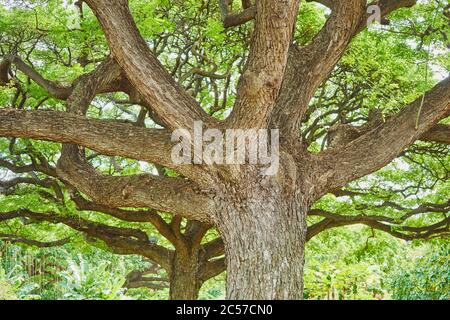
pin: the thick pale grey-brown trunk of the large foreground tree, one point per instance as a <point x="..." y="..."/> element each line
<point x="264" y="242"/>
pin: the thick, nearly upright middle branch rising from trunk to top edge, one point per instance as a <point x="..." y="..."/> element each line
<point x="261" y="81"/>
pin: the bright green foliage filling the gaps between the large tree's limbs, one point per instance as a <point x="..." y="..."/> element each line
<point x="384" y="68"/>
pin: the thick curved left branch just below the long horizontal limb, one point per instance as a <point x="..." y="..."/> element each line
<point x="168" y="194"/>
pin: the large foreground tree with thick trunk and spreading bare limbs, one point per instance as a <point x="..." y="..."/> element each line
<point x="261" y="219"/>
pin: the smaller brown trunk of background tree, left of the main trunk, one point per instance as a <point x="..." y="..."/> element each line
<point x="185" y="283"/>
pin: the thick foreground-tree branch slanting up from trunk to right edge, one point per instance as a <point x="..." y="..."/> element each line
<point x="376" y="148"/>
